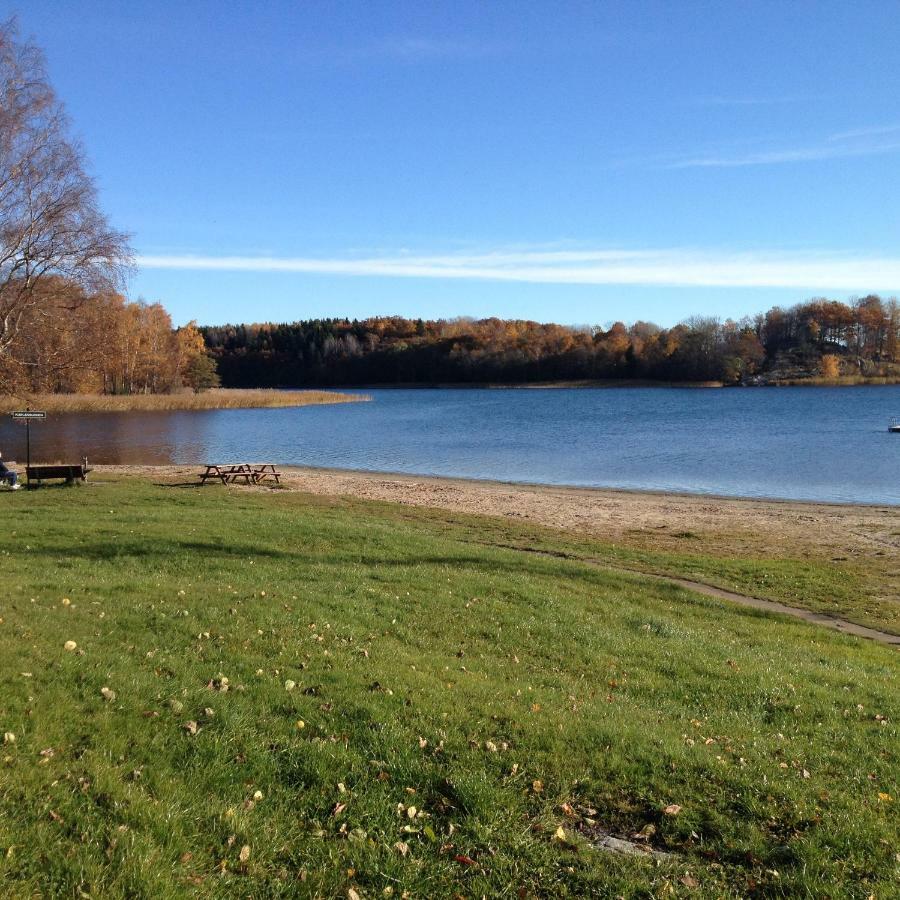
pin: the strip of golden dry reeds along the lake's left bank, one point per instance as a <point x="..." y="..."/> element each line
<point x="216" y="399"/>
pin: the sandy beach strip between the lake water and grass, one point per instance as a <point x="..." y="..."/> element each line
<point x="662" y="521"/>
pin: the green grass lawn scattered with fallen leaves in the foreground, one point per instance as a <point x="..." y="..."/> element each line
<point x="454" y="705"/>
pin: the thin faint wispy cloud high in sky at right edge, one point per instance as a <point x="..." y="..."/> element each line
<point x="872" y="141"/>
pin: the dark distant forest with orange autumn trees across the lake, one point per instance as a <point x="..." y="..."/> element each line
<point x="817" y="340"/>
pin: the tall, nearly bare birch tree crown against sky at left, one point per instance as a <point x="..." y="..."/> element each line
<point x="51" y="226"/>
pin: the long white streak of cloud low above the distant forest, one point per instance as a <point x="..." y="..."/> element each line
<point x="666" y="267"/>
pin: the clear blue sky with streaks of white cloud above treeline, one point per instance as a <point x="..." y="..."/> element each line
<point x="572" y="162"/>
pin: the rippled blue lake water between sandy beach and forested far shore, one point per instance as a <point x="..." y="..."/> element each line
<point x="797" y="443"/>
